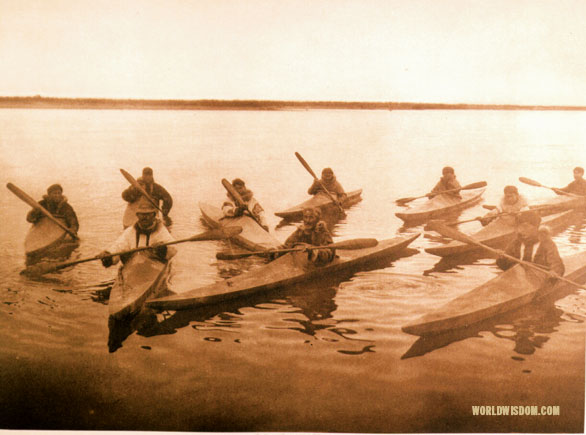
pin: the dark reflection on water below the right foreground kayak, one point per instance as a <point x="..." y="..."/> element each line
<point x="529" y="328"/>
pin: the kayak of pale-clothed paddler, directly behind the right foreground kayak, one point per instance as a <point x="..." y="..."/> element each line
<point x="498" y="233"/>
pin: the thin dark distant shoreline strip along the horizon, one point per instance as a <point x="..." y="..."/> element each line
<point x="38" y="102"/>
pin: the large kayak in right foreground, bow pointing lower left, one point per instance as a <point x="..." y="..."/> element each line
<point x="510" y="290"/>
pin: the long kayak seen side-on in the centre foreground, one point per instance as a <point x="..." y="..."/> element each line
<point x="291" y="268"/>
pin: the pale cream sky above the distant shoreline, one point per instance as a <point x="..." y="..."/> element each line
<point x="446" y="51"/>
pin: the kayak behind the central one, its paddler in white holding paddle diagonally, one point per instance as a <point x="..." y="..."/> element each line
<point x="252" y="237"/>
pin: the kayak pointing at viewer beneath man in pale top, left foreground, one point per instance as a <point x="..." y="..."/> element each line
<point x="140" y="278"/>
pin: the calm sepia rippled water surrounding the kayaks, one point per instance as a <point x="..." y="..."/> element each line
<point x="313" y="358"/>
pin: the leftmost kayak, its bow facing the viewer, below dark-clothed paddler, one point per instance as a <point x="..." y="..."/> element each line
<point x="46" y="238"/>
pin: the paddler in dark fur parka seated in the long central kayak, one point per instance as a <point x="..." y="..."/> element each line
<point x="314" y="232"/>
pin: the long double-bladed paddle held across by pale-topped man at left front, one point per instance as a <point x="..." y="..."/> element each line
<point x="218" y="234"/>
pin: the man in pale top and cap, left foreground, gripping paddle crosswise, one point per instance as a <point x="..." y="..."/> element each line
<point x="147" y="231"/>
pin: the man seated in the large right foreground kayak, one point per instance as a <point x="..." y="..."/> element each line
<point x="530" y="234"/>
